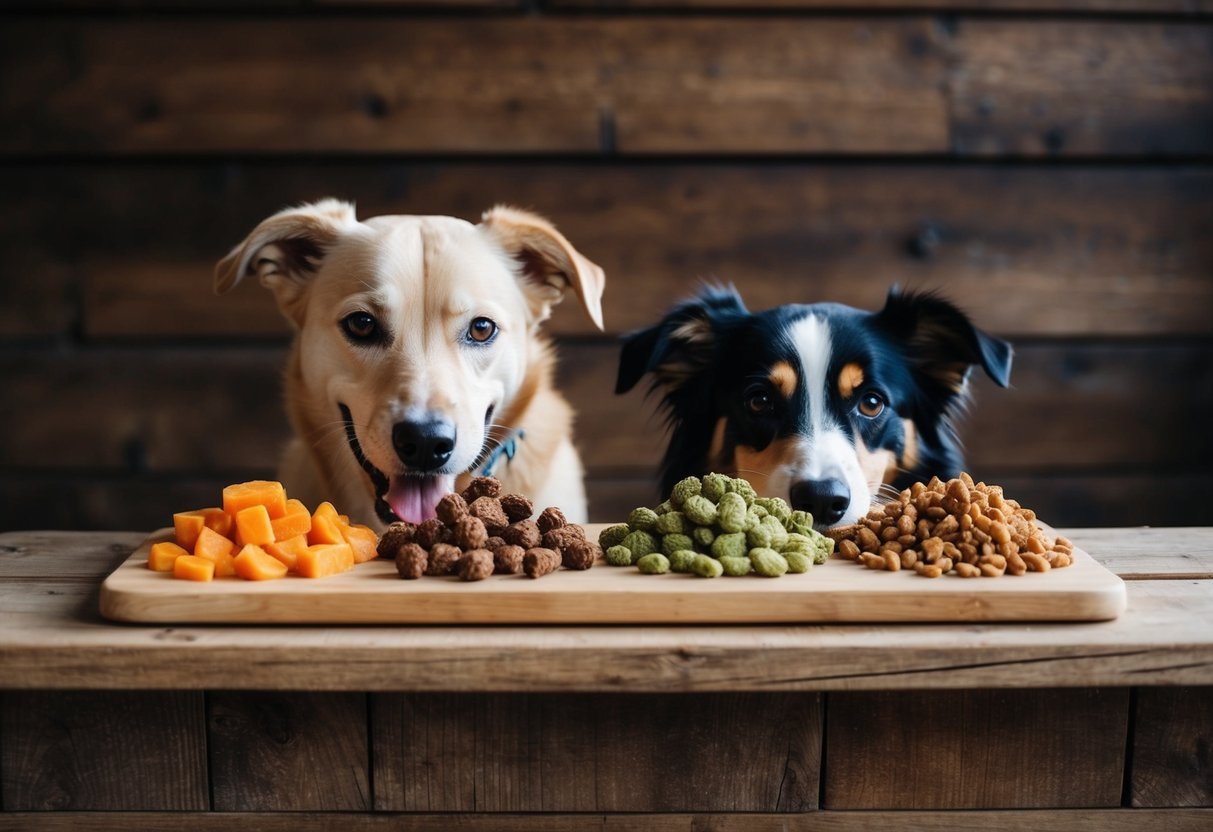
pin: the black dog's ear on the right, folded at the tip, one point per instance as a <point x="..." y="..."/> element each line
<point x="943" y="343"/>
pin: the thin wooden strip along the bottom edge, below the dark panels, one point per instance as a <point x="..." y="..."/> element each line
<point x="1051" y="820"/>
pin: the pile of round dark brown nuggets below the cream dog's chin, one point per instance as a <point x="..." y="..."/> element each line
<point x="482" y="533"/>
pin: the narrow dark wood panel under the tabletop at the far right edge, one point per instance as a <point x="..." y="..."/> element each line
<point x="1174" y="748"/>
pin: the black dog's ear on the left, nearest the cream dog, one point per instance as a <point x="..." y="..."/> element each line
<point x="684" y="344"/>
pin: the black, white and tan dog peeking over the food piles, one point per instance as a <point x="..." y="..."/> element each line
<point x="819" y="404"/>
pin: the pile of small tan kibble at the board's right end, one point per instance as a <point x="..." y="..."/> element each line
<point x="956" y="527"/>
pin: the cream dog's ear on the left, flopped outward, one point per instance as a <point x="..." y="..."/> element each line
<point x="286" y="249"/>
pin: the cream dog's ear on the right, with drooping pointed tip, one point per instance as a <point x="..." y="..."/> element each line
<point x="549" y="263"/>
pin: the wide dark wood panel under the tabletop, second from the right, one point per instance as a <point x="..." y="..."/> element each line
<point x="976" y="750"/>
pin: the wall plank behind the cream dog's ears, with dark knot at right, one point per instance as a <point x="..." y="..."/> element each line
<point x="1106" y="250"/>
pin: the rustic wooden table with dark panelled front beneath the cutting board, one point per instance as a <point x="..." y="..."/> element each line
<point x="858" y="727"/>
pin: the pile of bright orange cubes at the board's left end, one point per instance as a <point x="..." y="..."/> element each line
<point x="259" y="534"/>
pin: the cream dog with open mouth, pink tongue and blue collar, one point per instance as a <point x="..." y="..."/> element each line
<point x="418" y="360"/>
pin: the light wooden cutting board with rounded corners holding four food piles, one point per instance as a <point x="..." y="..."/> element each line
<point x="839" y="591"/>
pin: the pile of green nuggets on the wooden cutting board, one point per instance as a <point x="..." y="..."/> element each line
<point x="717" y="526"/>
